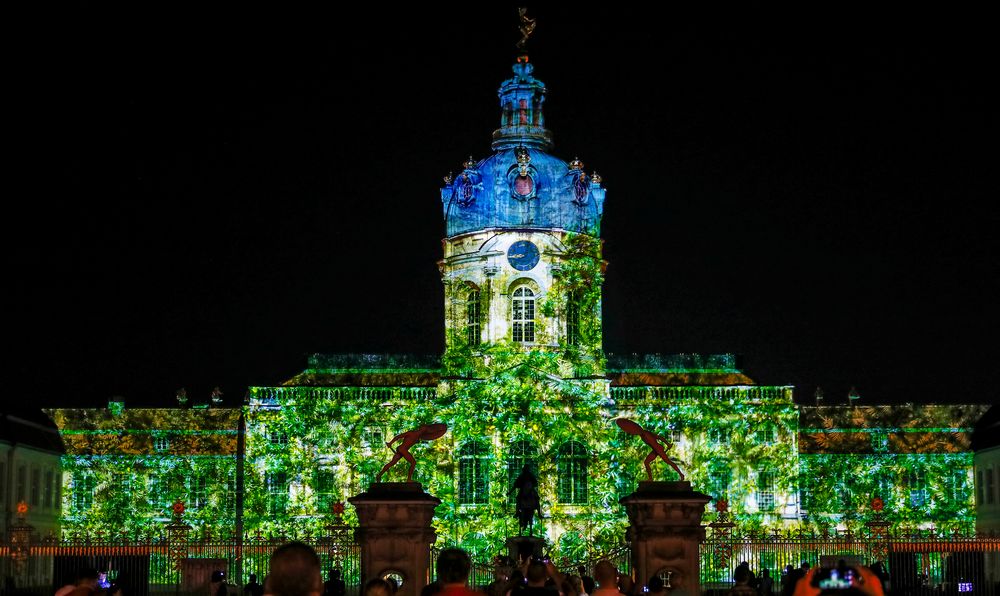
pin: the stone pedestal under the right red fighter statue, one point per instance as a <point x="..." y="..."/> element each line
<point x="665" y="532"/>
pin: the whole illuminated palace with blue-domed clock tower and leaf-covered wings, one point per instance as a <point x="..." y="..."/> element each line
<point x="524" y="380"/>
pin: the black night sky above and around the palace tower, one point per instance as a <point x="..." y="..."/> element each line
<point x="203" y="199"/>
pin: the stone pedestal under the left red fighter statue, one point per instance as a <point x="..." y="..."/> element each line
<point x="395" y="534"/>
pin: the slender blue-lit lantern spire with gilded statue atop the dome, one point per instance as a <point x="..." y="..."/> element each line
<point x="522" y="122"/>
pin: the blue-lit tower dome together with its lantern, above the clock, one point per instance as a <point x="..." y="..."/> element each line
<point x="521" y="185"/>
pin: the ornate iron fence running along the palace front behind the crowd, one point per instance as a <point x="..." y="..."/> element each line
<point x="916" y="561"/>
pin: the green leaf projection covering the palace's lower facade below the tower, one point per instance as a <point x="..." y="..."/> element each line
<point x="310" y="447"/>
